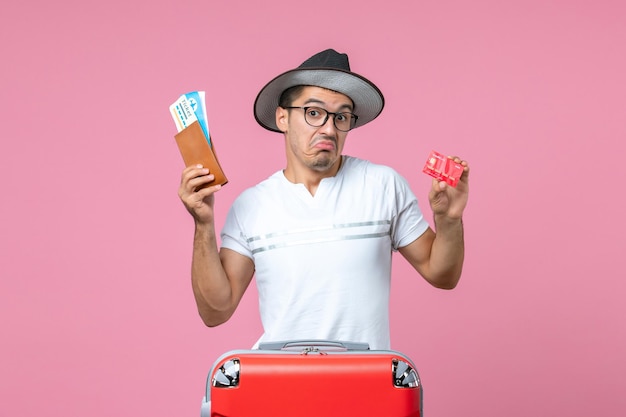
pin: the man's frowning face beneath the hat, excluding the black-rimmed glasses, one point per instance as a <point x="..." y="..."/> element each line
<point x="318" y="148"/>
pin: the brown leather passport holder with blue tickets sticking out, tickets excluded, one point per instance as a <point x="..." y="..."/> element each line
<point x="195" y="149"/>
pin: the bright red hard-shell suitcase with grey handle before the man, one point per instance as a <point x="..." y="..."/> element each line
<point x="313" y="378"/>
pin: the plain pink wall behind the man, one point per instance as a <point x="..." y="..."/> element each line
<point x="97" y="314"/>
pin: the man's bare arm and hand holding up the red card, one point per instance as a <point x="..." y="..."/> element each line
<point x="439" y="256"/>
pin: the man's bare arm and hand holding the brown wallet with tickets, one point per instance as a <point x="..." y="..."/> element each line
<point x="219" y="278"/>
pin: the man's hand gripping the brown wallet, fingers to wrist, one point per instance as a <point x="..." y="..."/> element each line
<point x="199" y="203"/>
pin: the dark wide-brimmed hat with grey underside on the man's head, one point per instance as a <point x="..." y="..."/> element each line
<point x="328" y="69"/>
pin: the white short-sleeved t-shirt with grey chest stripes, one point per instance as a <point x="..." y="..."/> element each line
<point x="323" y="262"/>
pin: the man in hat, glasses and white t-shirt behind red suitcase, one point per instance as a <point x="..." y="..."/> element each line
<point x="319" y="235"/>
